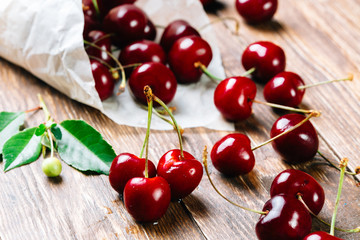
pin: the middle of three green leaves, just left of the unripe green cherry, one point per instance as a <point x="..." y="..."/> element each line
<point x="22" y="148"/>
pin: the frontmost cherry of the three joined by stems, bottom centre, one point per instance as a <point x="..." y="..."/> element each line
<point x="147" y="199"/>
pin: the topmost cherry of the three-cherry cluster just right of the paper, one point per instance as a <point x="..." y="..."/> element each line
<point x="267" y="58"/>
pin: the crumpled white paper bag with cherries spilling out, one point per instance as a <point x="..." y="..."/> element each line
<point x="45" y="38"/>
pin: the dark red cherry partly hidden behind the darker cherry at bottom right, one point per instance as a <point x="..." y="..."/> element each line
<point x="294" y="182"/>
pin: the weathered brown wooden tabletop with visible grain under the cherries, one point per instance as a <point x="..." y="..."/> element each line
<point x="321" y="42"/>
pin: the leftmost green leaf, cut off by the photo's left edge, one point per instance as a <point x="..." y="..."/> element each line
<point x="10" y="123"/>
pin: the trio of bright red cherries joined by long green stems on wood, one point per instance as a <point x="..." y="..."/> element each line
<point x="147" y="196"/>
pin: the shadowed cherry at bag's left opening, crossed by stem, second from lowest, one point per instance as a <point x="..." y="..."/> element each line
<point x="104" y="45"/>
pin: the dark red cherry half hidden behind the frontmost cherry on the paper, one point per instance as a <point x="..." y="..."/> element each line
<point x="142" y="51"/>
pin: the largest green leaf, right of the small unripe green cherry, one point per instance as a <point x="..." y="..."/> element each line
<point x="82" y="147"/>
